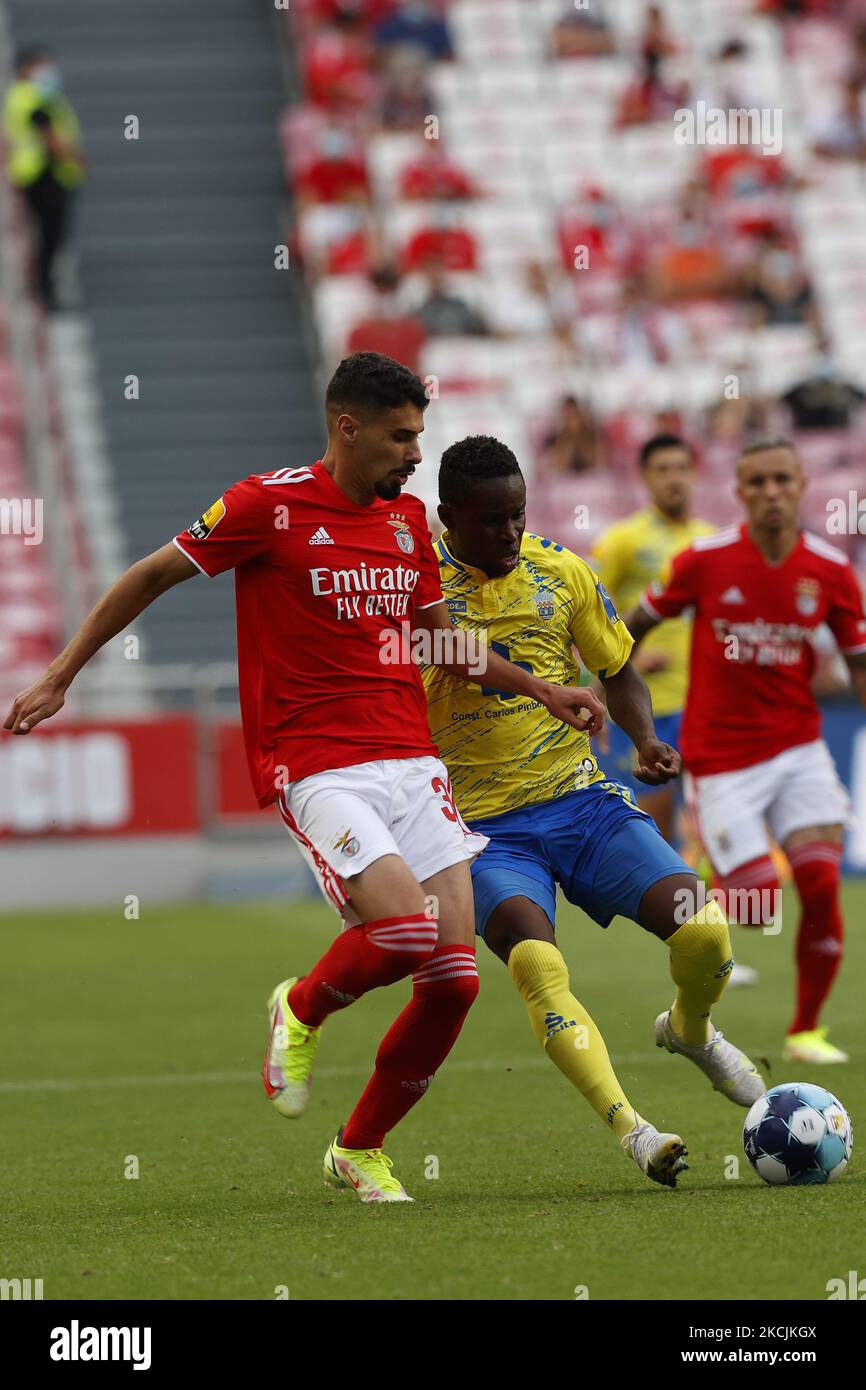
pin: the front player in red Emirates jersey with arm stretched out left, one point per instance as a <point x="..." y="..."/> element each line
<point x="329" y="561"/>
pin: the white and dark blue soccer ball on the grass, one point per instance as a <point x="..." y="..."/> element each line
<point x="799" y="1134"/>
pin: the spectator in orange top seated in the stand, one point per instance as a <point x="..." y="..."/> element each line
<point x="690" y="263"/>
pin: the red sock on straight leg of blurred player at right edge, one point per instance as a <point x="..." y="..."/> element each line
<point x="819" y="943"/>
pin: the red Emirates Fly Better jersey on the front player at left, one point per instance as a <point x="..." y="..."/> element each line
<point x="319" y="580"/>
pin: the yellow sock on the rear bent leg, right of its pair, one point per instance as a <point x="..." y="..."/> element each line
<point x="700" y="965"/>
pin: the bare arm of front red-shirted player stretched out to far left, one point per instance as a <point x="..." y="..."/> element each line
<point x="129" y="597"/>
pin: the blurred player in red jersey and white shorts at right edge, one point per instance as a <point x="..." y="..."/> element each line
<point x="751" y="732"/>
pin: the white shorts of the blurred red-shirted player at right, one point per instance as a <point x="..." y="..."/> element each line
<point x="797" y="789"/>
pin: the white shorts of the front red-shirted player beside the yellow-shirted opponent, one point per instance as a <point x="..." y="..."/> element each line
<point x="347" y="819"/>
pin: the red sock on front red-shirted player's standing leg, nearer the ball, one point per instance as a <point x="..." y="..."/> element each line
<point x="416" y="1045"/>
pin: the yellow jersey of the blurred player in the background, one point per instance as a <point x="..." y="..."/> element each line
<point x="629" y="558"/>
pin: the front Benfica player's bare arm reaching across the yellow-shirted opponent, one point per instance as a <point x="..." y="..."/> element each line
<point x="459" y="654"/>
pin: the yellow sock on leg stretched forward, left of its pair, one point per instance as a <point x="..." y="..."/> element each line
<point x="568" y="1033"/>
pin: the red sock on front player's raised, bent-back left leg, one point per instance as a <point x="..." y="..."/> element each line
<point x="361" y="960"/>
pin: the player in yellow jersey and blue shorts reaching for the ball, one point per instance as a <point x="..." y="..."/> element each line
<point x="551" y="815"/>
